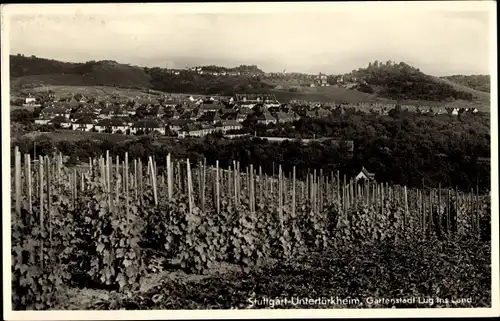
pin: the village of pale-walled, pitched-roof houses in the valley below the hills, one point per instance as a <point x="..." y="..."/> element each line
<point x="195" y="116"/>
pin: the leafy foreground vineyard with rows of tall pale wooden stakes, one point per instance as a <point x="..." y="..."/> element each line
<point x="105" y="226"/>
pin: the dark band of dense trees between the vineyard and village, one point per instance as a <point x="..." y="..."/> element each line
<point x="404" y="148"/>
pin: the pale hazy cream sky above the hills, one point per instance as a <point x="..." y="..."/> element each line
<point x="438" y="42"/>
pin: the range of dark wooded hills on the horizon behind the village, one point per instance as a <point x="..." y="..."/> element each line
<point x="378" y="82"/>
